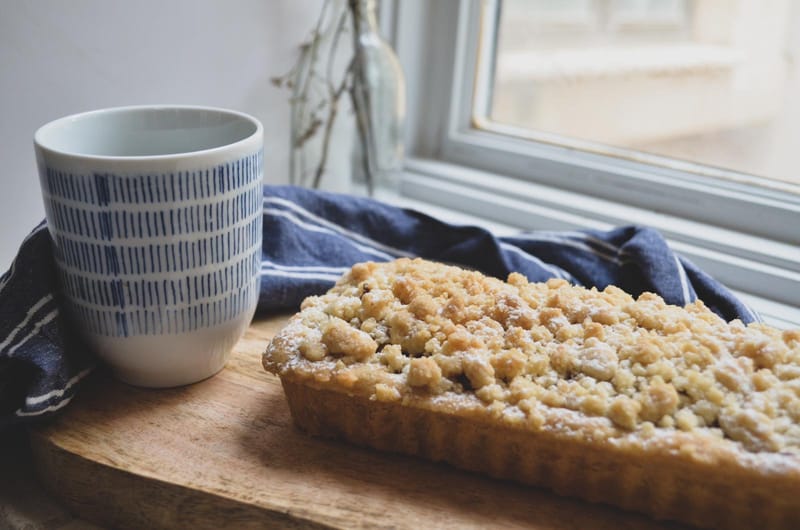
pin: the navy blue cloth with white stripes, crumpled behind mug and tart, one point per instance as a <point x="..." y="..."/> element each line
<point x="310" y="239"/>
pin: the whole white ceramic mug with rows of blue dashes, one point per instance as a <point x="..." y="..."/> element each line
<point x="155" y="216"/>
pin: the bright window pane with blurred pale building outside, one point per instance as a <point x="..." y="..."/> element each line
<point x="705" y="81"/>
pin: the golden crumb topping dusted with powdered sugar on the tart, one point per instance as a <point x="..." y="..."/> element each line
<point x="412" y="327"/>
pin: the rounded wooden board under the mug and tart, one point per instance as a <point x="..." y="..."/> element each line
<point x="224" y="453"/>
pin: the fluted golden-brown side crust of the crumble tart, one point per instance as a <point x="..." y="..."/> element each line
<point x="655" y="483"/>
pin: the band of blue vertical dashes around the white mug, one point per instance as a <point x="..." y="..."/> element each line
<point x="158" y="254"/>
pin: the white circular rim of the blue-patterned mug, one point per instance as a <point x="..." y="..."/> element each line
<point x="59" y="122"/>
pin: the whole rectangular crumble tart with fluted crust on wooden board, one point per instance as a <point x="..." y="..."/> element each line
<point x="661" y="409"/>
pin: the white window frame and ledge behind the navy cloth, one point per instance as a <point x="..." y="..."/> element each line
<point x="741" y="229"/>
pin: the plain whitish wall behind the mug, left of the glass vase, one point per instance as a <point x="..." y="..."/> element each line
<point x="61" y="57"/>
